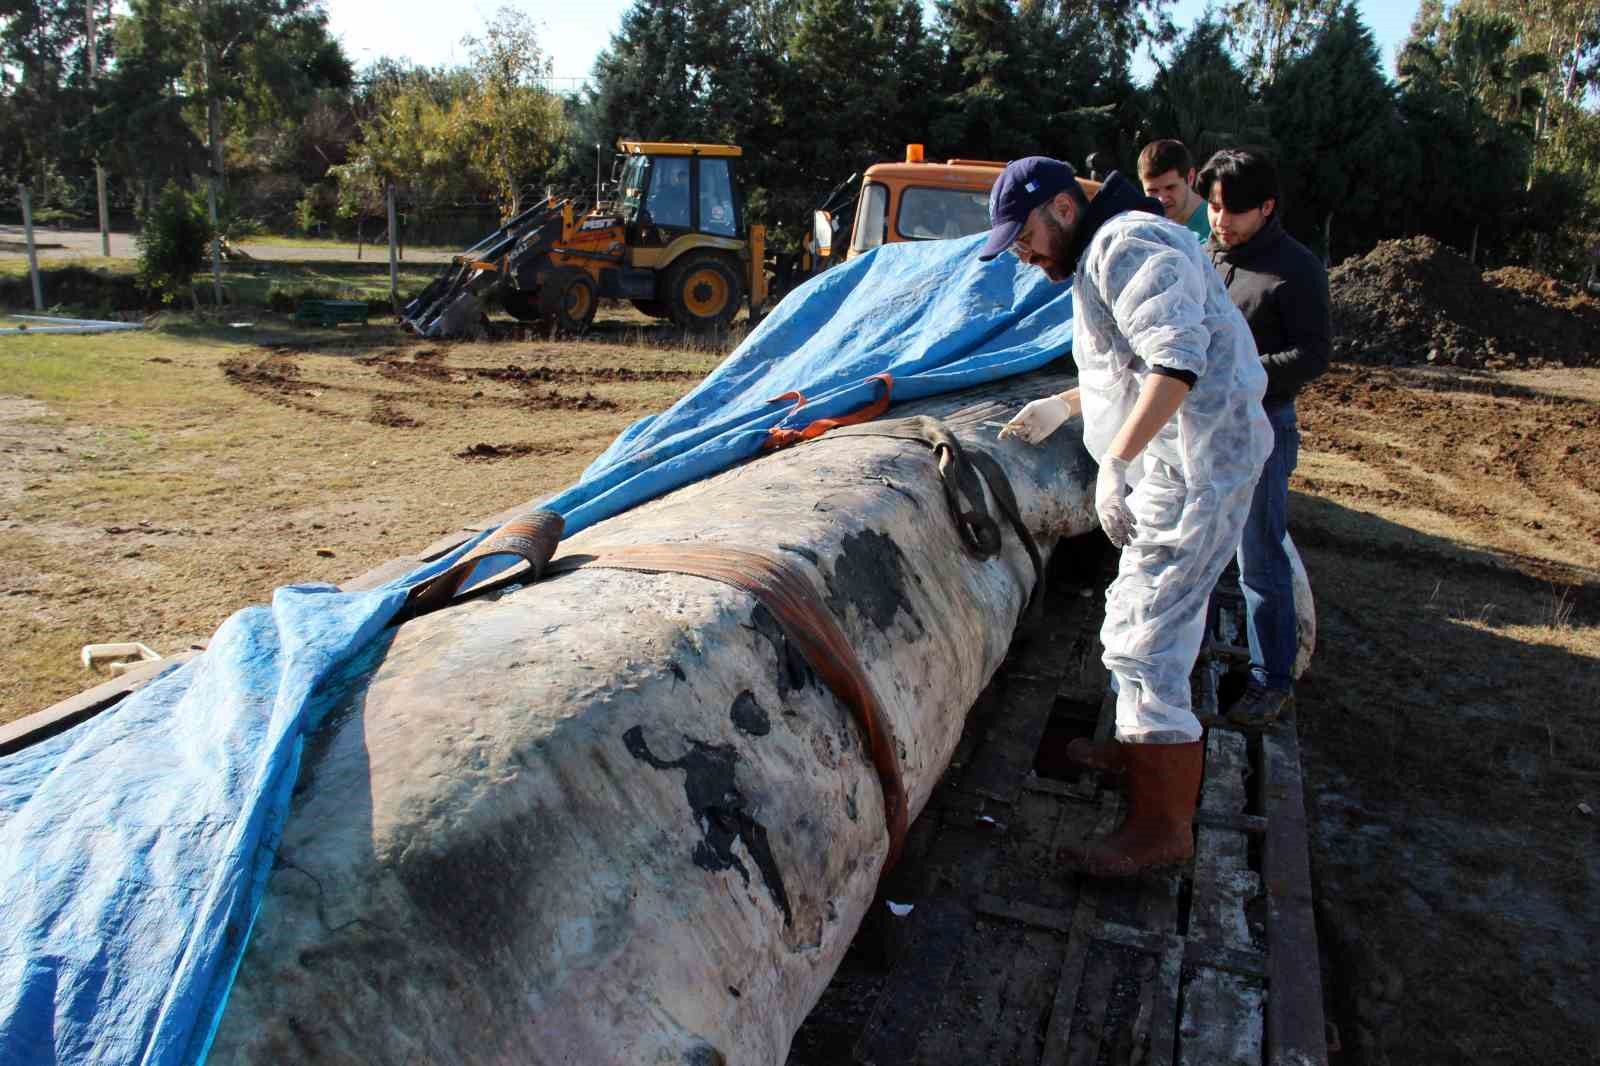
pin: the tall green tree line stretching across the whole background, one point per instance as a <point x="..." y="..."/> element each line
<point x="1486" y="134"/>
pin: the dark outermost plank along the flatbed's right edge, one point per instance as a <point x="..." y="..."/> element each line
<point x="1297" y="1035"/>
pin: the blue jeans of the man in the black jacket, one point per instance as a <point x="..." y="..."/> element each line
<point x="1265" y="571"/>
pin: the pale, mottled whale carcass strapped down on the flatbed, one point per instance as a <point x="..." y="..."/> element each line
<point x="617" y="817"/>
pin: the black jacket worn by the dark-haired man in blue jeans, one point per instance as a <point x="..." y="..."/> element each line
<point x="1282" y="291"/>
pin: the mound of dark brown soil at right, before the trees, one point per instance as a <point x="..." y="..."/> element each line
<point x="1417" y="302"/>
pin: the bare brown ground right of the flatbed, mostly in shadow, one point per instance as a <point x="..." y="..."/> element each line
<point x="1452" y="721"/>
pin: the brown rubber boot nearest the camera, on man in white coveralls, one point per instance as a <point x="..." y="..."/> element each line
<point x="1164" y="783"/>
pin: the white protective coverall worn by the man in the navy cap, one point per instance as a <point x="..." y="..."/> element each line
<point x="1145" y="295"/>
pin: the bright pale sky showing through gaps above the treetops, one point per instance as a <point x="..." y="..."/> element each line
<point x="574" y="33"/>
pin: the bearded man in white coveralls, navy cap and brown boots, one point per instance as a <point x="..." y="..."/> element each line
<point x="1170" y="391"/>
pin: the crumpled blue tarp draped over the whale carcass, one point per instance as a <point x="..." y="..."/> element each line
<point x="135" y="848"/>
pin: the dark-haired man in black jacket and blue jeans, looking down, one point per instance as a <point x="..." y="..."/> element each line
<point x="1282" y="291"/>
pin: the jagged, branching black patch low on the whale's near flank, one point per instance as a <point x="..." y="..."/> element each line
<point x="719" y="809"/>
